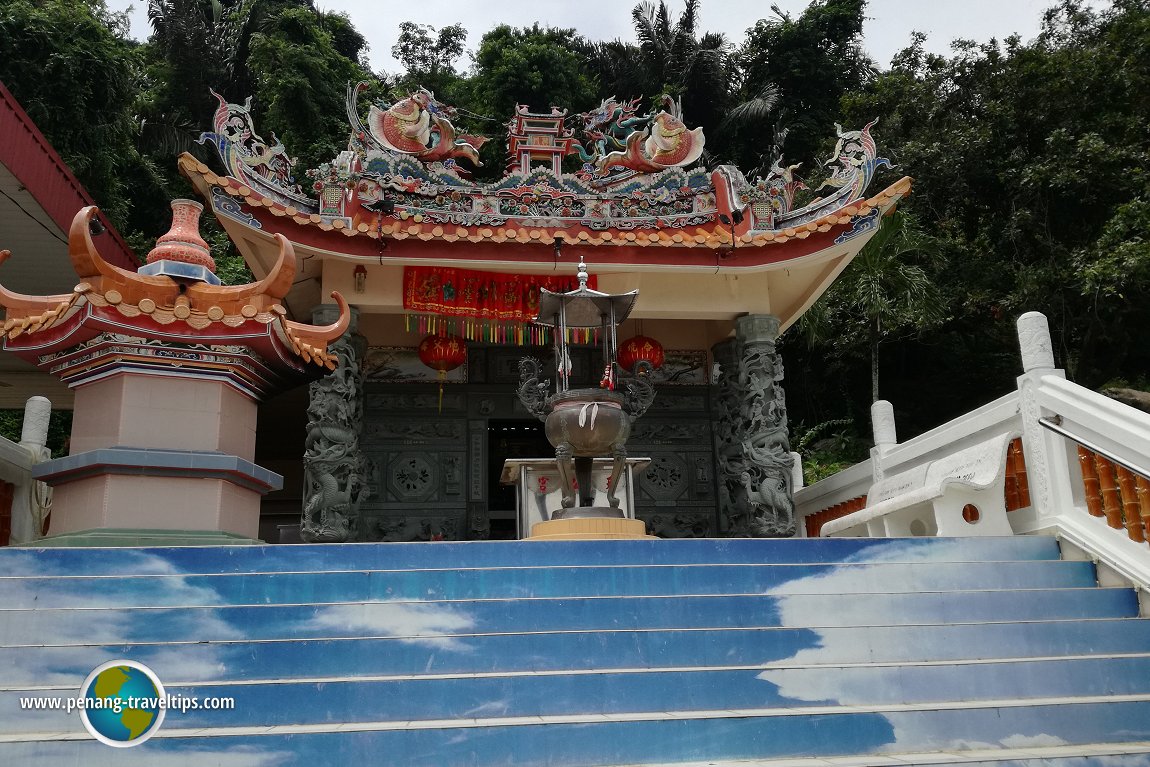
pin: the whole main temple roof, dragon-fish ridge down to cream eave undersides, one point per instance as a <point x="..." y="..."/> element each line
<point x="624" y="183"/>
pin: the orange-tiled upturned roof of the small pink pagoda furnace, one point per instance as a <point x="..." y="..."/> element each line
<point x="116" y="318"/>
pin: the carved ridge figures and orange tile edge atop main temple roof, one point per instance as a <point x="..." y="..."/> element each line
<point x="403" y="178"/>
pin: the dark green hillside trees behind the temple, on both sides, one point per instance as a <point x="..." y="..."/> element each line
<point x="1031" y="157"/>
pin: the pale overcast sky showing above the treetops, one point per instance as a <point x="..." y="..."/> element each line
<point x="888" y="28"/>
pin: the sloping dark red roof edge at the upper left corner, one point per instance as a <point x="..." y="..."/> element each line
<point x="33" y="160"/>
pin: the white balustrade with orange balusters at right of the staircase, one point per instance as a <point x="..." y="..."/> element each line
<point x="1079" y="472"/>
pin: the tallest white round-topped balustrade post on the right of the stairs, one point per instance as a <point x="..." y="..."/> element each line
<point x="1048" y="463"/>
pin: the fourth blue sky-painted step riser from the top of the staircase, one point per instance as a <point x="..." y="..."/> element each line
<point x="190" y="661"/>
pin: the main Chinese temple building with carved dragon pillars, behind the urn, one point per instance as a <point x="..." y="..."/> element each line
<point x="723" y="265"/>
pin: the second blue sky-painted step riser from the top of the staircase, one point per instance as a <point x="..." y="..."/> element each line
<point x="441" y="585"/>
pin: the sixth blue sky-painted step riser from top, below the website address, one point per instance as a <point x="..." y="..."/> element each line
<point x="647" y="738"/>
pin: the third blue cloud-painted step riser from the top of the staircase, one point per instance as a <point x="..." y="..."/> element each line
<point x="436" y="624"/>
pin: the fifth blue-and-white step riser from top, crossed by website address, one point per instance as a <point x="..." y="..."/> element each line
<point x="281" y="703"/>
